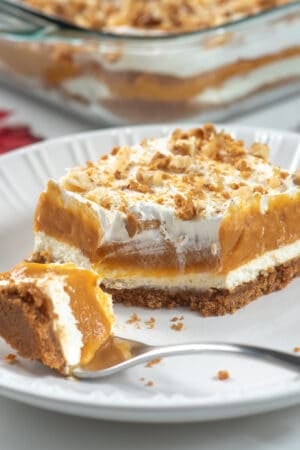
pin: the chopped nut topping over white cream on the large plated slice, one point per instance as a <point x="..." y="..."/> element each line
<point x="194" y="173"/>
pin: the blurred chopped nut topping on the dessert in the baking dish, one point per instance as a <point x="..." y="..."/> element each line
<point x="166" y="15"/>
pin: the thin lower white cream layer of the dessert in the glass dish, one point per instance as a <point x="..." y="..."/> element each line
<point x="92" y="89"/>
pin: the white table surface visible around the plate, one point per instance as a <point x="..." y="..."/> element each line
<point x="26" y="428"/>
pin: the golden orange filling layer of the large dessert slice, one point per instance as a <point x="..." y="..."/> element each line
<point x="245" y="234"/>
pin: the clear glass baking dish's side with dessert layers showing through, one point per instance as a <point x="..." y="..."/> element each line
<point x="118" y="79"/>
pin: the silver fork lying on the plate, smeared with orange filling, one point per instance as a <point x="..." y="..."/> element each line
<point x="140" y="353"/>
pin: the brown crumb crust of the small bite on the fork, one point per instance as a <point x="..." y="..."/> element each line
<point x="26" y="323"/>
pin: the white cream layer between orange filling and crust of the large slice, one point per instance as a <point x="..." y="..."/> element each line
<point x="198" y="281"/>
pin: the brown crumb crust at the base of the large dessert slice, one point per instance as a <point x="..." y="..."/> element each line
<point x="212" y="302"/>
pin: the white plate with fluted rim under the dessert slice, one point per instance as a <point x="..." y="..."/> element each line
<point x="184" y="389"/>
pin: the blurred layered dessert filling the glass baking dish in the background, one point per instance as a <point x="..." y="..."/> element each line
<point x="145" y="78"/>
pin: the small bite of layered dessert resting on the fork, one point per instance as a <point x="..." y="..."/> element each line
<point x="54" y="313"/>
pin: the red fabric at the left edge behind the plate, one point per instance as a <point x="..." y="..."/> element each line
<point x="14" y="136"/>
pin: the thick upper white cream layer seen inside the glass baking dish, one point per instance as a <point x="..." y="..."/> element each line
<point x="192" y="57"/>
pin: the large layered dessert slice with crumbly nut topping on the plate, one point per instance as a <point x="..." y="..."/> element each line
<point x="194" y="219"/>
